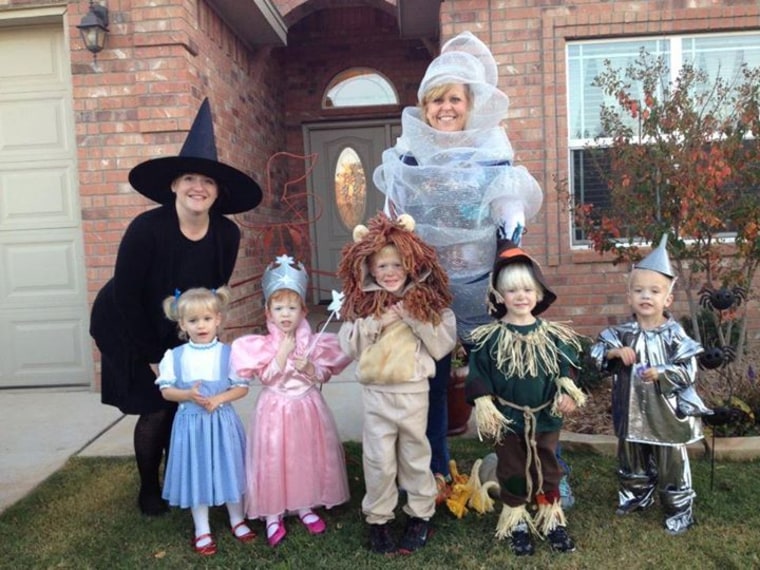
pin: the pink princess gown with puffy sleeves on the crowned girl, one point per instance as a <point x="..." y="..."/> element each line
<point x="294" y="457"/>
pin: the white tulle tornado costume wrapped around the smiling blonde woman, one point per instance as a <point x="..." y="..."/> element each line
<point x="461" y="187"/>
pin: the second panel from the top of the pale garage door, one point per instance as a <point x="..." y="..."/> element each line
<point x="35" y="128"/>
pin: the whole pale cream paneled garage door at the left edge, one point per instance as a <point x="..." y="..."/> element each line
<point x="43" y="302"/>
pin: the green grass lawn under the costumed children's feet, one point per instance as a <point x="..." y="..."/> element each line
<point x="85" y="516"/>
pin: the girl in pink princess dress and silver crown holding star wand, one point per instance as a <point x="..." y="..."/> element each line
<point x="294" y="457"/>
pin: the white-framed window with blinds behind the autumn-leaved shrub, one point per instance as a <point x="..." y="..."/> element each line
<point x="717" y="54"/>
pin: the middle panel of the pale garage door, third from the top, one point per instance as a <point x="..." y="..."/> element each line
<point x="33" y="195"/>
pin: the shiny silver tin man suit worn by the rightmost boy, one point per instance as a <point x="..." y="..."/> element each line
<point x="652" y="434"/>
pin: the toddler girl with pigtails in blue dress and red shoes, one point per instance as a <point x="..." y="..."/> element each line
<point x="206" y="458"/>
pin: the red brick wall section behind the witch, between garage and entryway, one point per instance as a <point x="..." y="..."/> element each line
<point x="139" y="101"/>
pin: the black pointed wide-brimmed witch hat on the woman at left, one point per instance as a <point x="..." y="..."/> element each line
<point x="238" y="192"/>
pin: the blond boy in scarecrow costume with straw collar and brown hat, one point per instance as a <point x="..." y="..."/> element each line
<point x="520" y="384"/>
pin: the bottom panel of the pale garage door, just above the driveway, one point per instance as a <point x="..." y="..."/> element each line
<point x="44" y="347"/>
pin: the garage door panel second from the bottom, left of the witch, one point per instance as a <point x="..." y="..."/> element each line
<point x="40" y="269"/>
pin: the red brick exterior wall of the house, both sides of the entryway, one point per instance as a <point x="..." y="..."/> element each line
<point x="161" y="60"/>
